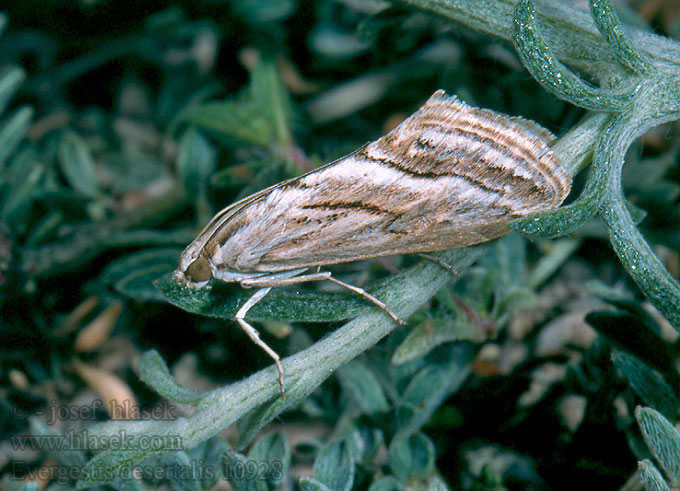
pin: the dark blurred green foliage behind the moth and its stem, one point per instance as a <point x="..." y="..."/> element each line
<point x="125" y="126"/>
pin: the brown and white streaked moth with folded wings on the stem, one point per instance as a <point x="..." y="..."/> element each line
<point x="449" y="176"/>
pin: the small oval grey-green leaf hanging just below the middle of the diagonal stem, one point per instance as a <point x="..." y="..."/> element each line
<point x="363" y="387"/>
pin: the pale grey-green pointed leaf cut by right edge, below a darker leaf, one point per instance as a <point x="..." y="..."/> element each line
<point x="662" y="438"/>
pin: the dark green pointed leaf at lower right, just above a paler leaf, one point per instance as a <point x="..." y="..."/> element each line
<point x="648" y="384"/>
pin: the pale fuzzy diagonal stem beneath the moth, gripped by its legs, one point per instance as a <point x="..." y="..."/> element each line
<point x="305" y="371"/>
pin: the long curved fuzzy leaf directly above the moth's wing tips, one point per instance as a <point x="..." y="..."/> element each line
<point x="553" y="75"/>
